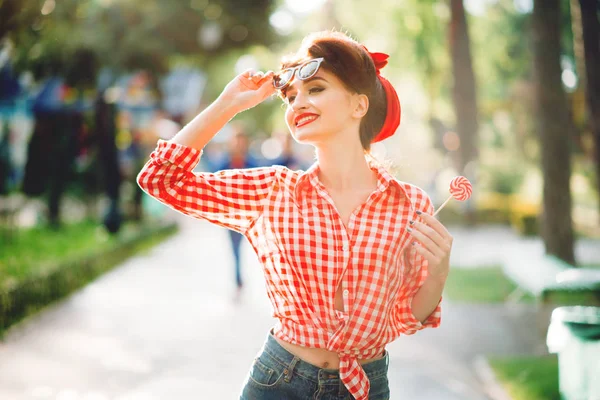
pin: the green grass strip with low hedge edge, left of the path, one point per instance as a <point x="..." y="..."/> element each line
<point x="42" y="265"/>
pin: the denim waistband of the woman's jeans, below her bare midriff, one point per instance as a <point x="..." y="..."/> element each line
<point x="309" y="371"/>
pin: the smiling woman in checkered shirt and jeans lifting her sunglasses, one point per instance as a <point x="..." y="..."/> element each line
<point x="351" y="256"/>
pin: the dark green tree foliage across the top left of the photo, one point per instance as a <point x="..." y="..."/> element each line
<point x="130" y="35"/>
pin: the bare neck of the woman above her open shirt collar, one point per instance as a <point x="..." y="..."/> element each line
<point x="345" y="168"/>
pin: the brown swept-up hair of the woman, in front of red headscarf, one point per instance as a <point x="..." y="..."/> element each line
<point x="351" y="64"/>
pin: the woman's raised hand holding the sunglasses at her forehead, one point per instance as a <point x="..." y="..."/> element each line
<point x="248" y="89"/>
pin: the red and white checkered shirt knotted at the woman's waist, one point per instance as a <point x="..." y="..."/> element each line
<point x="306" y="252"/>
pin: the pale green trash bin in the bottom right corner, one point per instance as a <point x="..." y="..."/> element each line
<point x="574" y="335"/>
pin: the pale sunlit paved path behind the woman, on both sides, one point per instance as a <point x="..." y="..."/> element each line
<point x="168" y="325"/>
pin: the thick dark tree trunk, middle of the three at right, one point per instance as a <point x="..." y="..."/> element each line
<point x="553" y="127"/>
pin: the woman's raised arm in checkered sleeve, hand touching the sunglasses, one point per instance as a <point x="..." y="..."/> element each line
<point x="232" y="198"/>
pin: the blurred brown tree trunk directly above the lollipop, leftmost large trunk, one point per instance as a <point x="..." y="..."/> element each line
<point x="465" y="101"/>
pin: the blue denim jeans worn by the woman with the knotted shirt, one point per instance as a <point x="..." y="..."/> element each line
<point x="276" y="374"/>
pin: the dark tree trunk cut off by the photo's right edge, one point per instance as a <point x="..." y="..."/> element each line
<point x="591" y="46"/>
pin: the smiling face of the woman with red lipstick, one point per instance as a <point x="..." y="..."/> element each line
<point x="319" y="109"/>
